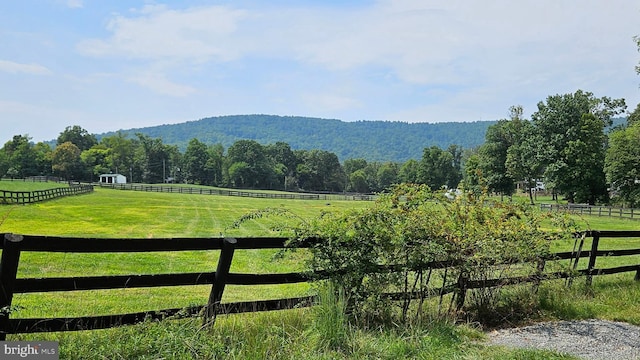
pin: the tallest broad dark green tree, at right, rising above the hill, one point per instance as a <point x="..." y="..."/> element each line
<point x="571" y="128"/>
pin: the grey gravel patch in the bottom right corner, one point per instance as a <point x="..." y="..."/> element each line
<point x="588" y="339"/>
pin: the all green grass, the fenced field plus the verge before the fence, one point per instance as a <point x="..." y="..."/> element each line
<point x="287" y="334"/>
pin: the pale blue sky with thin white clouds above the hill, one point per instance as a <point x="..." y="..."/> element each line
<point x="110" y="65"/>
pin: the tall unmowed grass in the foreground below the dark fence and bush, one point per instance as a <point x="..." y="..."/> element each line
<point x="292" y="334"/>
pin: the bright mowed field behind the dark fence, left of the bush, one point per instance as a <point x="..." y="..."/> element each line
<point x="128" y="214"/>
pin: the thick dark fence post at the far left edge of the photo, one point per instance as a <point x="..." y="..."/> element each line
<point x="8" y="271"/>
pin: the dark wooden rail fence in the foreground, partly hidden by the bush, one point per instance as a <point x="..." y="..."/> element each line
<point x="13" y="245"/>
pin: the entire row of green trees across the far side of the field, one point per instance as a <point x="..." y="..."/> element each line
<point x="568" y="144"/>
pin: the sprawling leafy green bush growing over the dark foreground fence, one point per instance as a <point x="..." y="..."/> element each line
<point x="414" y="243"/>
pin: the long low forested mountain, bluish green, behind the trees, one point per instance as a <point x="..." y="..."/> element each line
<point x="371" y="140"/>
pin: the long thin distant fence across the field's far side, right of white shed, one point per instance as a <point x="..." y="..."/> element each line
<point x="240" y="193"/>
